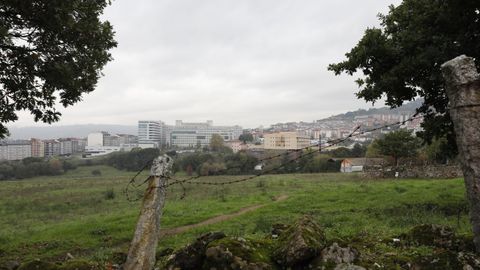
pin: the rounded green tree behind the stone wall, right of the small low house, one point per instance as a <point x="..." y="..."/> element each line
<point x="398" y="144"/>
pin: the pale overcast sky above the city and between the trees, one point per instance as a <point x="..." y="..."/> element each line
<point x="245" y="62"/>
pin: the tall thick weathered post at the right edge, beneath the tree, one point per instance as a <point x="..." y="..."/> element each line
<point x="463" y="90"/>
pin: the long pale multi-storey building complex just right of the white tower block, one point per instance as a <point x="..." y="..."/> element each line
<point x="199" y="134"/>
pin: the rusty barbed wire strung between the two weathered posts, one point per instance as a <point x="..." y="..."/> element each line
<point x="319" y="147"/>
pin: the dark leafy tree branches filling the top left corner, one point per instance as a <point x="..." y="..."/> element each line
<point x="50" y="49"/>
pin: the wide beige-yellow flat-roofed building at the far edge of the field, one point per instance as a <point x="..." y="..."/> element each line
<point x="286" y="140"/>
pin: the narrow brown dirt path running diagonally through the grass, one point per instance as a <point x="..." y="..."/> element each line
<point x="173" y="231"/>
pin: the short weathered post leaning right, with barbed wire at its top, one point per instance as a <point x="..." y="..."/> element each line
<point x="141" y="255"/>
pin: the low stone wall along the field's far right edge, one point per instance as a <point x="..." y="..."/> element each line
<point x="425" y="171"/>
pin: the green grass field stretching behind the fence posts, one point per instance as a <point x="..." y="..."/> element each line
<point x="89" y="216"/>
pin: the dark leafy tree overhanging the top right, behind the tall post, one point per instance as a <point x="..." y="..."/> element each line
<point x="401" y="59"/>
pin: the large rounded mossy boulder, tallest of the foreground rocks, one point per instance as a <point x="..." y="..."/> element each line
<point x="300" y="243"/>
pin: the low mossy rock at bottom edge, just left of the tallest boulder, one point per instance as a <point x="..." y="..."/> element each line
<point x="234" y="253"/>
